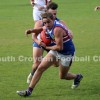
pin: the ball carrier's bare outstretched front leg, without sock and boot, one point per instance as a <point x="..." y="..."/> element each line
<point x="47" y="61"/>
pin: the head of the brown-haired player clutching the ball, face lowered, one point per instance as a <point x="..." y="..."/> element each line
<point x="48" y="20"/>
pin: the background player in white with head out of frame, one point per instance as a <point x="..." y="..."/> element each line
<point x="39" y="7"/>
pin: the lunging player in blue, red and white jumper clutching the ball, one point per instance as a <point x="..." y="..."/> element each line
<point x="62" y="49"/>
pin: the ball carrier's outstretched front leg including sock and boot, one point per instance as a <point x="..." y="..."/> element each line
<point x="47" y="61"/>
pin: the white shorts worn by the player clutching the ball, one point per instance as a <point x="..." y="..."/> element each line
<point x="65" y="60"/>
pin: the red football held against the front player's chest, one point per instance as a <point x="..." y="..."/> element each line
<point x="45" y="37"/>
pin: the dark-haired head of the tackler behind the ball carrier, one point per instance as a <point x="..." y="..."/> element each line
<point x="52" y="8"/>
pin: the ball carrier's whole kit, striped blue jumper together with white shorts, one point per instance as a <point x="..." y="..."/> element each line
<point x="65" y="56"/>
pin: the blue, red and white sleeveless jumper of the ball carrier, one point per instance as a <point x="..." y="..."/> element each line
<point x="68" y="46"/>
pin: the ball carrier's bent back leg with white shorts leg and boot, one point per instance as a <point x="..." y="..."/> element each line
<point x="65" y="65"/>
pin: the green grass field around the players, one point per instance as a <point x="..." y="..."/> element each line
<point x="79" y="15"/>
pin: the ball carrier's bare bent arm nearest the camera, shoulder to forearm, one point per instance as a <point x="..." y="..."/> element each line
<point x="58" y="33"/>
